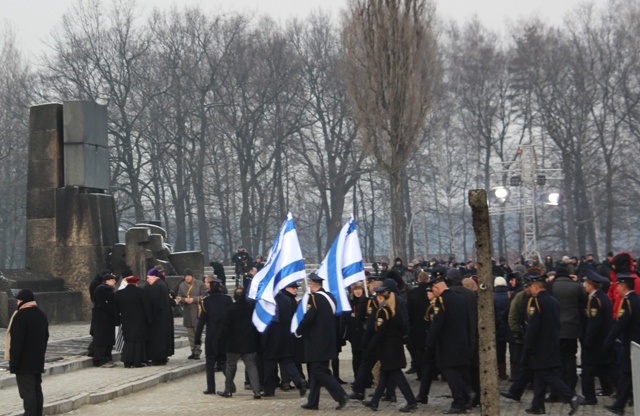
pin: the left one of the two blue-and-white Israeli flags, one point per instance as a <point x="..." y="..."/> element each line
<point x="284" y="265"/>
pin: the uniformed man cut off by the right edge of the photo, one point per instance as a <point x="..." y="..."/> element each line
<point x="627" y="328"/>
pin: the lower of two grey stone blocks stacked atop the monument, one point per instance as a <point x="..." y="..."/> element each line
<point x="86" y="165"/>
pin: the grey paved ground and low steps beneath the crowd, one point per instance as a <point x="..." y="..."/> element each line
<point x="177" y="388"/>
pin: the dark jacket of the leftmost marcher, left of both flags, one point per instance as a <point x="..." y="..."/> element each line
<point x="214" y="307"/>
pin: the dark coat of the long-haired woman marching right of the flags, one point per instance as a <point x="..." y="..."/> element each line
<point x="387" y="345"/>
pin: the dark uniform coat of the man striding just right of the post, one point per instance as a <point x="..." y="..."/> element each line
<point x="542" y="341"/>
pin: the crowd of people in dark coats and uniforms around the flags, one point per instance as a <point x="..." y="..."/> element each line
<point x="546" y="313"/>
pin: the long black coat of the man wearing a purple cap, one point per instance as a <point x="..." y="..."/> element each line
<point x="160" y="344"/>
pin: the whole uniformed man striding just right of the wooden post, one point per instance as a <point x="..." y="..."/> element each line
<point x="542" y="348"/>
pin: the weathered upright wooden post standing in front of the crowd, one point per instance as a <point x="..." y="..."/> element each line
<point x="489" y="398"/>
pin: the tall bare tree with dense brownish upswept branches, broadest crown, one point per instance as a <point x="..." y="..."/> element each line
<point x="393" y="72"/>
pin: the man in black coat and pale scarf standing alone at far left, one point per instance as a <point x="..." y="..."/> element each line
<point x="26" y="345"/>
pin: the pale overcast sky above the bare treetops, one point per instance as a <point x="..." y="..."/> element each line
<point x="33" y="20"/>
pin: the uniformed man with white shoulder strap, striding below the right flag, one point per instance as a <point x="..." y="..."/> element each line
<point x="319" y="333"/>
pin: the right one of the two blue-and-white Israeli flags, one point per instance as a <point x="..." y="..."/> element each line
<point x="343" y="265"/>
